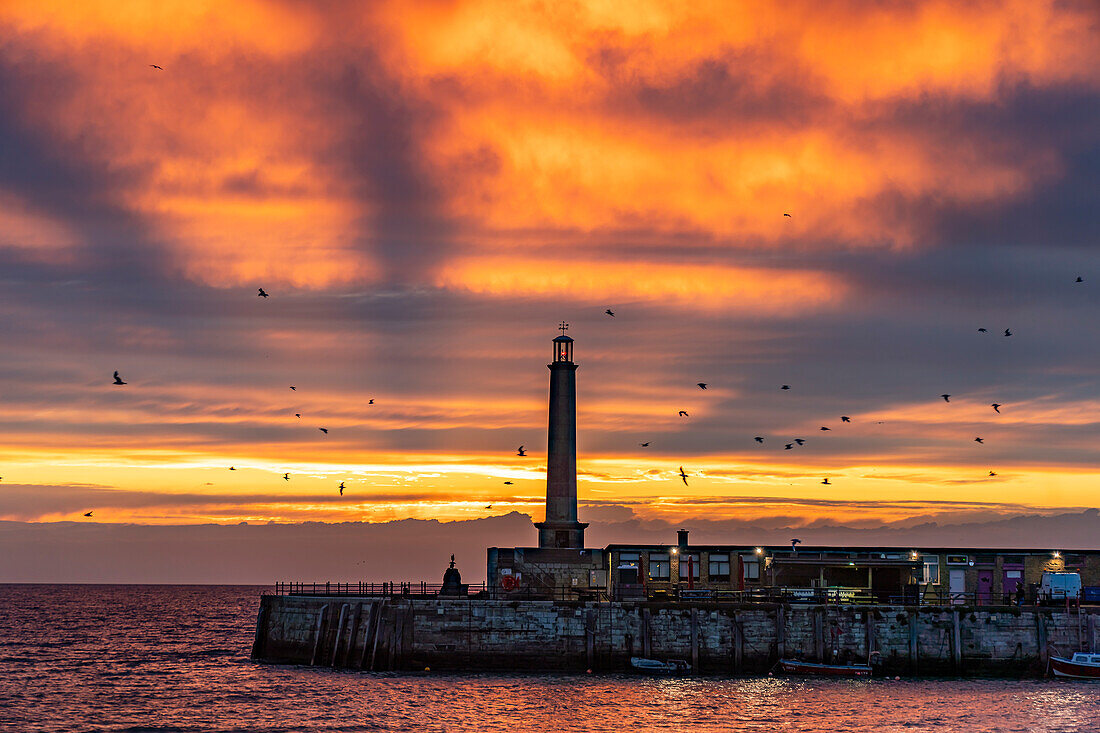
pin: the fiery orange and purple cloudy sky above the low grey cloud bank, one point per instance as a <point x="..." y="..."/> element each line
<point x="426" y="190"/>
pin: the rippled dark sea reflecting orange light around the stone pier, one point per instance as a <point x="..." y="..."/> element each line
<point x="177" y="659"/>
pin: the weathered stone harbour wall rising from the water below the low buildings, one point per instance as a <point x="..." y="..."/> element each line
<point x="412" y="634"/>
